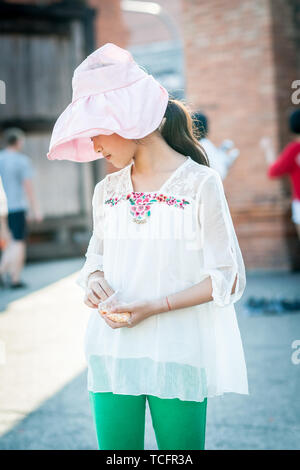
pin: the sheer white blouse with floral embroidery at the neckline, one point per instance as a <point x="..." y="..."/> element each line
<point x="157" y="243"/>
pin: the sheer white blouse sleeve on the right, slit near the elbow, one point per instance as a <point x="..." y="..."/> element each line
<point x="221" y="252"/>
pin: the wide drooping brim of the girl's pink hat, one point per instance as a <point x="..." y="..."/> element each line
<point x="131" y="112"/>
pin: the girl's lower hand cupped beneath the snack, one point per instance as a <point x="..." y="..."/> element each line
<point x="139" y="311"/>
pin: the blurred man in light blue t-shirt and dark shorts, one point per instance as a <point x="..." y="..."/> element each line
<point x="16" y="171"/>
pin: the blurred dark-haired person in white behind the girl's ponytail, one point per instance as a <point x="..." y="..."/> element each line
<point x="220" y="158"/>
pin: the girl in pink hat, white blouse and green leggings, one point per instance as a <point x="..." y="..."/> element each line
<point x="163" y="237"/>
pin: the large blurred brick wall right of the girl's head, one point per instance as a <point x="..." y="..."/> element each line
<point x="239" y="73"/>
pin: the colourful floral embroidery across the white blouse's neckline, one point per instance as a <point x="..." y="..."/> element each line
<point x="140" y="203"/>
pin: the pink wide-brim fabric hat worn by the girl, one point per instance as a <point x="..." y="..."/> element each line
<point x="111" y="94"/>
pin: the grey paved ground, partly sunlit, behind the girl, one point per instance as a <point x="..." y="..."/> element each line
<point x="43" y="398"/>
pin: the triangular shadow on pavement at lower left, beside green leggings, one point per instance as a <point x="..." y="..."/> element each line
<point x="62" y="422"/>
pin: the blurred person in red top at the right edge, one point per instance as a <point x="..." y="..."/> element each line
<point x="287" y="163"/>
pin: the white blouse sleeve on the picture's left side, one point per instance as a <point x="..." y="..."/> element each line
<point x="94" y="253"/>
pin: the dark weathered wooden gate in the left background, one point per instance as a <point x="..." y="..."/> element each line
<point x="47" y="44"/>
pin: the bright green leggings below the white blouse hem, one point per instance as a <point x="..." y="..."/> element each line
<point x="120" y="421"/>
